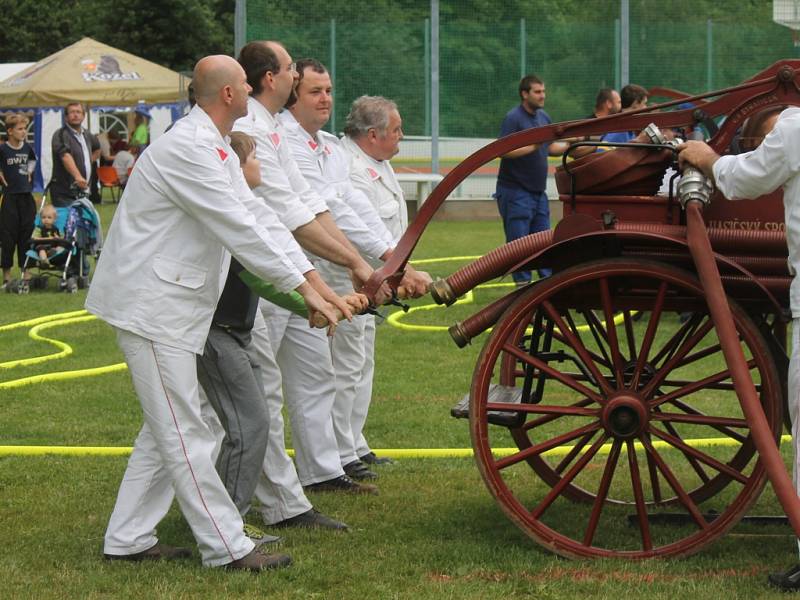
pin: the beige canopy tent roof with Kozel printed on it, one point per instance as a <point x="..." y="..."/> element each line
<point x="94" y="73"/>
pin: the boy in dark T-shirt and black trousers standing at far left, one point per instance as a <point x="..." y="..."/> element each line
<point x="18" y="209"/>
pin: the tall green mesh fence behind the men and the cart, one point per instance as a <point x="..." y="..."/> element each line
<point x="483" y="56"/>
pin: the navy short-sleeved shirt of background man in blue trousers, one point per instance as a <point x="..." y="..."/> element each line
<point x="530" y="171"/>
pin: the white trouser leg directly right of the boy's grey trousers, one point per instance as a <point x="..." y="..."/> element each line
<point x="278" y="491"/>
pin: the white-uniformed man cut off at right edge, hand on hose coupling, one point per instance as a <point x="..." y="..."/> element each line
<point x="775" y="163"/>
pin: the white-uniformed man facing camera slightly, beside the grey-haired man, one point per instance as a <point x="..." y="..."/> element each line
<point x="325" y="165"/>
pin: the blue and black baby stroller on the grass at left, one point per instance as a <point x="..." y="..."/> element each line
<point x="80" y="225"/>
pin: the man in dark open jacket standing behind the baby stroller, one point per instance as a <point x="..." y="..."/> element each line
<point x="74" y="150"/>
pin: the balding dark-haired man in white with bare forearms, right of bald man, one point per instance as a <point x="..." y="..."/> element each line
<point x="302" y="354"/>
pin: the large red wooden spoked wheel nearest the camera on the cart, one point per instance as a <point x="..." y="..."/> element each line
<point x="637" y="418"/>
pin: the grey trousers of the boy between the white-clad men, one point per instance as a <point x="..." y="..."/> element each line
<point x="230" y="374"/>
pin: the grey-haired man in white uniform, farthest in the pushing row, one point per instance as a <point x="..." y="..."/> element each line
<point x="373" y="131"/>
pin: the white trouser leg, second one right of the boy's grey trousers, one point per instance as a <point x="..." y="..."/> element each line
<point x="309" y="390"/>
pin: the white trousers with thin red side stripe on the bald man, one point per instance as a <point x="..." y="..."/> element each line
<point x="172" y="457"/>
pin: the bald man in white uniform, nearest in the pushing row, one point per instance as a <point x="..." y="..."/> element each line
<point x="157" y="283"/>
